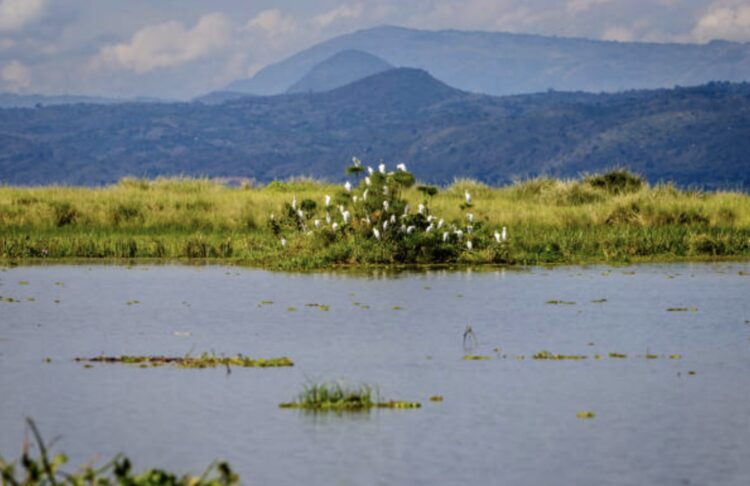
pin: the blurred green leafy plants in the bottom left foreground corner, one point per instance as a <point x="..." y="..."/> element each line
<point x="45" y="470"/>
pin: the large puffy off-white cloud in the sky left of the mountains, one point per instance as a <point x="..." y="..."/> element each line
<point x="167" y="44"/>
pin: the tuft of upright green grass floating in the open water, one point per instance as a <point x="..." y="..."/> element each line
<point x="341" y="397"/>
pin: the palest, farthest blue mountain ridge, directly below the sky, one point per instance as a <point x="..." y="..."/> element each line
<point x="502" y="63"/>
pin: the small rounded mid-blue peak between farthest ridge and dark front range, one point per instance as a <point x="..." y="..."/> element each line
<point x="342" y="68"/>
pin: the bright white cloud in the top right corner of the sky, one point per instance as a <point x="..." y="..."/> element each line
<point x="728" y="20"/>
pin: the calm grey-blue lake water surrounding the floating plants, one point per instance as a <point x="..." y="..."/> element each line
<point x="504" y="421"/>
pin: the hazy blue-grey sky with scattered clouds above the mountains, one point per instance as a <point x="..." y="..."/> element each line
<point x="177" y="49"/>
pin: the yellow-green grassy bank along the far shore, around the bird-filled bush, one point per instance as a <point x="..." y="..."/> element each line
<point x="197" y="220"/>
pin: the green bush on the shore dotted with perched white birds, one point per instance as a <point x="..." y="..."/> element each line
<point x="372" y="222"/>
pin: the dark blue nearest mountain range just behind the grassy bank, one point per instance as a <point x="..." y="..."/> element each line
<point x="689" y="135"/>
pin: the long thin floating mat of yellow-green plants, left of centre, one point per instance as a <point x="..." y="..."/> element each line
<point x="205" y="360"/>
